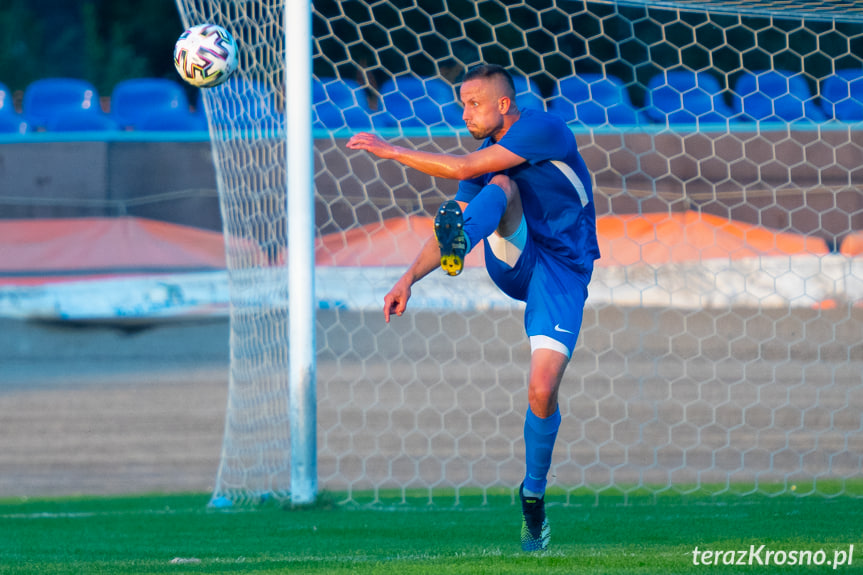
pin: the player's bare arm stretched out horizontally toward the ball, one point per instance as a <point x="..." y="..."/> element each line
<point x="488" y="160"/>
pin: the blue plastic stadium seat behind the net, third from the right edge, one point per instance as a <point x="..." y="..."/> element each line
<point x="686" y="97"/>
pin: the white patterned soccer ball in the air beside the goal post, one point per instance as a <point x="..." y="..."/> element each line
<point x="205" y="55"/>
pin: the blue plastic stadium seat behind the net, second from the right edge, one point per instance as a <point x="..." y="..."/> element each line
<point x="774" y="96"/>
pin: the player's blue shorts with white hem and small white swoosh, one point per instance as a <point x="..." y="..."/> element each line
<point x="553" y="292"/>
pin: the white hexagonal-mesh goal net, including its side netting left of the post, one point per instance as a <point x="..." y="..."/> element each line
<point x="722" y="347"/>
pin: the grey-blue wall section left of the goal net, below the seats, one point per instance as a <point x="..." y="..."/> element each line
<point x="170" y="181"/>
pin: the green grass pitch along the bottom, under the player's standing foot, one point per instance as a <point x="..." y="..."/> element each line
<point x="179" y="534"/>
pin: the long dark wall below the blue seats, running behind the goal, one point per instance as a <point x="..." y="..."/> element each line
<point x="797" y="180"/>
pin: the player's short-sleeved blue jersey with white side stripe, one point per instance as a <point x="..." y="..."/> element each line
<point x="555" y="186"/>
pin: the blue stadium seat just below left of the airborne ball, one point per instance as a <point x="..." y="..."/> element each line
<point x="134" y="101"/>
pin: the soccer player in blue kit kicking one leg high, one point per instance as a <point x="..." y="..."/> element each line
<point x="527" y="192"/>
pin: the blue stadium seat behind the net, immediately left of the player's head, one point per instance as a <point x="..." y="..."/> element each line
<point x="421" y="102"/>
